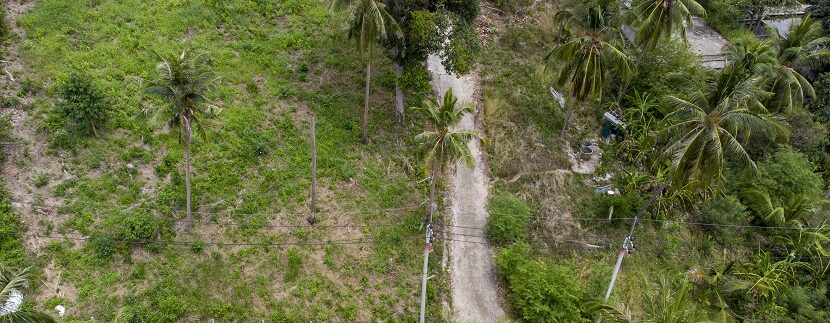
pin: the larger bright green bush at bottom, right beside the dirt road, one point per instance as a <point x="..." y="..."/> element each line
<point x="539" y="291"/>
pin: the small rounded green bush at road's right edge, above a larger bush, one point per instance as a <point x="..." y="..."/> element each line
<point x="508" y="220"/>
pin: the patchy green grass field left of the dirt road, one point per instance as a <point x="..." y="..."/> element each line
<point x="279" y="62"/>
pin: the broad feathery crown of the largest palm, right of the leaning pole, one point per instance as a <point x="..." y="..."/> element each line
<point x="706" y="125"/>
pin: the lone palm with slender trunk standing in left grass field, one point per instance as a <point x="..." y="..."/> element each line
<point x="184" y="85"/>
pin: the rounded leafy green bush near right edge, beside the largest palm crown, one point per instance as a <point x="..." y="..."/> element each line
<point x="787" y="174"/>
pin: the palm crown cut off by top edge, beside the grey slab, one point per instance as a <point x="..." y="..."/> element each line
<point x="662" y="18"/>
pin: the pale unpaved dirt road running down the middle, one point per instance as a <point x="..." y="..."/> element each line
<point x="474" y="288"/>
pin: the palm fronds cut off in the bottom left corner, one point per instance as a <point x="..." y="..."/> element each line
<point x="11" y="284"/>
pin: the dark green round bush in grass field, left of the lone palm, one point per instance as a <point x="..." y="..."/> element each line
<point x="83" y="104"/>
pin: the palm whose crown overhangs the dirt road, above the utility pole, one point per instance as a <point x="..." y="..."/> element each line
<point x="441" y="144"/>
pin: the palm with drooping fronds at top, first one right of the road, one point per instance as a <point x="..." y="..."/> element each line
<point x="593" y="56"/>
